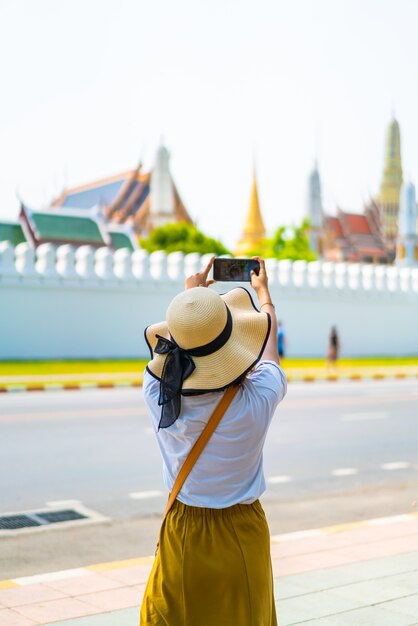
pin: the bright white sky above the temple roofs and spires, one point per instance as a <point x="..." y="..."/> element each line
<point x="89" y="87"/>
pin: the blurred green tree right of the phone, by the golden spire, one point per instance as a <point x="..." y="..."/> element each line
<point x="288" y="243"/>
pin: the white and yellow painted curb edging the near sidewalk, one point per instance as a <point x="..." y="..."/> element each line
<point x="24" y="581"/>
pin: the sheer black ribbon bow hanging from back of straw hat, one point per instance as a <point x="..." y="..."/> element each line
<point x="178" y="366"/>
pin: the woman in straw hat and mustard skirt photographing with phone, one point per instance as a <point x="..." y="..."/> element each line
<point x="213" y="567"/>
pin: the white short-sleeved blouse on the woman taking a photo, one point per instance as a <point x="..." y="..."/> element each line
<point x="230" y="469"/>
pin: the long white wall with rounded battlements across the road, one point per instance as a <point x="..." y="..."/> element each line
<point x="79" y="303"/>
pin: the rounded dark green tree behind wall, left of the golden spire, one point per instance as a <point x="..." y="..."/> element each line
<point x="181" y="237"/>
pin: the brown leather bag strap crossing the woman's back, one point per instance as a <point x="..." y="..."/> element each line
<point x="200" y="444"/>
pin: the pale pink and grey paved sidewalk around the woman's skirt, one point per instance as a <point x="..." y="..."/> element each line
<point x="360" y="574"/>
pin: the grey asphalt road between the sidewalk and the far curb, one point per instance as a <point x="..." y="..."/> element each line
<point x="336" y="452"/>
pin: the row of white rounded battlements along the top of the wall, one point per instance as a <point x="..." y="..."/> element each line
<point x="68" y="262"/>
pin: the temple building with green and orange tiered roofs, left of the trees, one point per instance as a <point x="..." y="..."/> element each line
<point x="113" y="212"/>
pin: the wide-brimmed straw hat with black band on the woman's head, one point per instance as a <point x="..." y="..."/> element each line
<point x="224" y="335"/>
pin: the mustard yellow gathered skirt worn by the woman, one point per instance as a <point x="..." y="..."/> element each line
<point x="213" y="568"/>
